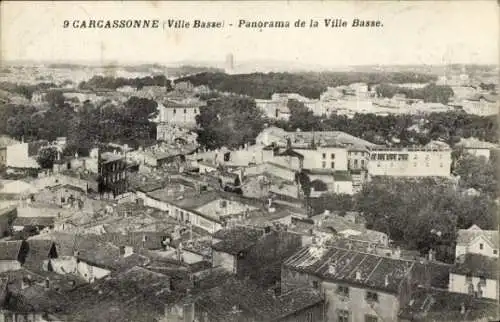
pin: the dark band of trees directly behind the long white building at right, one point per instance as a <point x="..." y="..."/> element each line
<point x="396" y="130"/>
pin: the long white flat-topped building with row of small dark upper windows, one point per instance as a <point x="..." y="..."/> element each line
<point x="410" y="162"/>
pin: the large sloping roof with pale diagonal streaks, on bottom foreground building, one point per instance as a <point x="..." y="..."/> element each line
<point x="356" y="268"/>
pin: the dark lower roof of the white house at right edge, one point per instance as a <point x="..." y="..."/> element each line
<point x="478" y="266"/>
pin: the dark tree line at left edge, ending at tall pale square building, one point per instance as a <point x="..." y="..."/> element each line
<point x="83" y="126"/>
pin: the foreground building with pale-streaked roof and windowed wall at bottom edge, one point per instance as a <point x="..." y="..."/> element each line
<point x="357" y="286"/>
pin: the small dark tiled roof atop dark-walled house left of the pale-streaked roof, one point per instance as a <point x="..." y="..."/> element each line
<point x="237" y="239"/>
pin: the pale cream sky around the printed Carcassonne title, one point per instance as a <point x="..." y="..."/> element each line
<point x="413" y="32"/>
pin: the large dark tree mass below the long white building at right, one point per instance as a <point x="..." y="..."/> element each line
<point x="423" y="214"/>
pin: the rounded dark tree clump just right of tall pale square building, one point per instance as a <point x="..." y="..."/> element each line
<point x="229" y="121"/>
